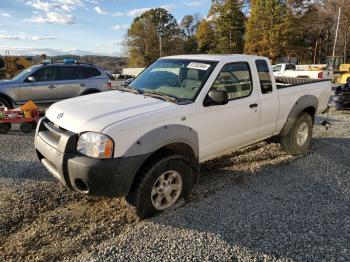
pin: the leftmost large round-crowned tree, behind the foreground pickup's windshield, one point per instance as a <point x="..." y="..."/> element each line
<point x="153" y="34"/>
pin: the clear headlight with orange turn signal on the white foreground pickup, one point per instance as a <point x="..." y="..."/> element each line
<point x="95" y="145"/>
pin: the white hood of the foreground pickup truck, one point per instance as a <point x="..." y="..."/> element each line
<point x="95" y="112"/>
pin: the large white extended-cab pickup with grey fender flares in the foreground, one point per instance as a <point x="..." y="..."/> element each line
<point x="145" y="141"/>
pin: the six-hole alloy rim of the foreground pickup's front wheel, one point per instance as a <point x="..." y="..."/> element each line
<point x="166" y="190"/>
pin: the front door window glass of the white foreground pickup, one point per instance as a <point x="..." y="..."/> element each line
<point x="235" y="79"/>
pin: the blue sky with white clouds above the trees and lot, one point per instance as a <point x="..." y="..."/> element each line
<point x="82" y="27"/>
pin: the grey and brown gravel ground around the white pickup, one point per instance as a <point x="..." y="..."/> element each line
<point x="255" y="204"/>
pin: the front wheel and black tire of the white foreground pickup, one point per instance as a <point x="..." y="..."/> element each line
<point x="149" y="196"/>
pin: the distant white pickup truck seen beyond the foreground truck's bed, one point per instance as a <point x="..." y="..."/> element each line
<point x="290" y="70"/>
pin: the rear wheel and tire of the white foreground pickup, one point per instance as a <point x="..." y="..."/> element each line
<point x="298" y="140"/>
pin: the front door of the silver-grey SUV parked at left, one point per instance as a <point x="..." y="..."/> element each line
<point x="43" y="89"/>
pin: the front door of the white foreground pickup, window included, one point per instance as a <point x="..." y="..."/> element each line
<point x="226" y="127"/>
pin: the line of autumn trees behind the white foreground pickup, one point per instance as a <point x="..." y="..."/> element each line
<point x="283" y="30"/>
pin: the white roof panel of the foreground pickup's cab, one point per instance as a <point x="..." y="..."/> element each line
<point x="215" y="57"/>
